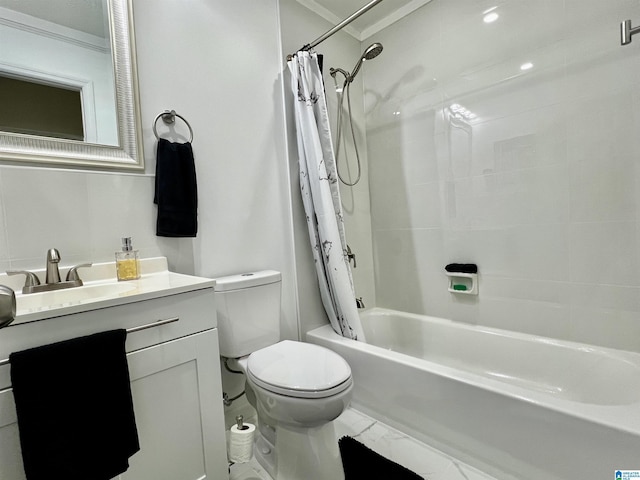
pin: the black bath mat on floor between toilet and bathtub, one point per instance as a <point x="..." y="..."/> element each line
<point x="360" y="463"/>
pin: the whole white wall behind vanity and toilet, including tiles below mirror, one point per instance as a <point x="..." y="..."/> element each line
<point x="218" y="64"/>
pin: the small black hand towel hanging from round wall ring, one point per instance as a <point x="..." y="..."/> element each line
<point x="176" y="190"/>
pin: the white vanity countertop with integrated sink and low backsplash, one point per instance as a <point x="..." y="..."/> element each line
<point x="156" y="281"/>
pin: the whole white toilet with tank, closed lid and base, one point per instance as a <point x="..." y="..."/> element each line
<point x="297" y="388"/>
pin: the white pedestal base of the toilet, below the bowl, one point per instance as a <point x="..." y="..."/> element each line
<point x="309" y="453"/>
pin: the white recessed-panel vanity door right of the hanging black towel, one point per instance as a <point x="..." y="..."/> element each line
<point x="177" y="399"/>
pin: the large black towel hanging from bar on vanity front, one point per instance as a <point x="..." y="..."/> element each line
<point x="74" y="406"/>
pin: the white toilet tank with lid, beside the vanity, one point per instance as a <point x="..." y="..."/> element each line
<point x="248" y="308"/>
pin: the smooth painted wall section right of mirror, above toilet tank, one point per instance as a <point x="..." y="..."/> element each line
<point x="218" y="65"/>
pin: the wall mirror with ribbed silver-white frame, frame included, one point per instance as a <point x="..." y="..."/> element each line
<point x="72" y="69"/>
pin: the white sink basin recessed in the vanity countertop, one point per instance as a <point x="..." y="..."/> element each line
<point x="70" y="296"/>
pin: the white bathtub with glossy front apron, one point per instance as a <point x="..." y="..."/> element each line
<point x="517" y="406"/>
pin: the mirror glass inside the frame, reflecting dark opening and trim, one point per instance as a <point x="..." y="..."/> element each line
<point x="56" y="70"/>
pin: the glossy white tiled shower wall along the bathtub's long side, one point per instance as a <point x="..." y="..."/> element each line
<point x="539" y="187"/>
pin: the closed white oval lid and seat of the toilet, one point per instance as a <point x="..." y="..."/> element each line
<point x="299" y="369"/>
